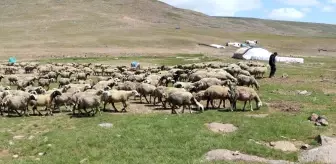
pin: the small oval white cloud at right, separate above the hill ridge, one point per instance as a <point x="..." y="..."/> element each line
<point x="286" y="14"/>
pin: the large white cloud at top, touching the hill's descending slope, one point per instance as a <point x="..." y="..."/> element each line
<point x="217" y="7"/>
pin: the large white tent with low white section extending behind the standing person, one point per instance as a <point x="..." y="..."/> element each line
<point x="257" y="53"/>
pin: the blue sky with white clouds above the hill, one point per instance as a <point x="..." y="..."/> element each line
<point x="321" y="11"/>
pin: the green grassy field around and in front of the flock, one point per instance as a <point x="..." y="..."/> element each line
<point x="164" y="138"/>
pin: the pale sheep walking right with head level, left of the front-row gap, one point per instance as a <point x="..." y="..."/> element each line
<point x="115" y="96"/>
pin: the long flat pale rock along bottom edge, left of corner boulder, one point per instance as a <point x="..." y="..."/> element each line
<point x="227" y="155"/>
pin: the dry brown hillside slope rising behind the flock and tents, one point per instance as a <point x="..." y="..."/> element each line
<point x="61" y="27"/>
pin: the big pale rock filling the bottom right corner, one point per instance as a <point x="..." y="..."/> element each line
<point x="323" y="154"/>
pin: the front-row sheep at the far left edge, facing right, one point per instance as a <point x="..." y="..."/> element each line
<point x="17" y="102"/>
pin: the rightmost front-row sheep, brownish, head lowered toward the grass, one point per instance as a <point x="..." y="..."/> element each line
<point x="245" y="94"/>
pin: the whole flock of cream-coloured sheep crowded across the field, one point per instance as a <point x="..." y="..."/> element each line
<point x="86" y="87"/>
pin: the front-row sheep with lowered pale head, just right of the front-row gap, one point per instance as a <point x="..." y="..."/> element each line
<point x="182" y="98"/>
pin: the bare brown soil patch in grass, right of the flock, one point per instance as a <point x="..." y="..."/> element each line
<point x="285" y="106"/>
